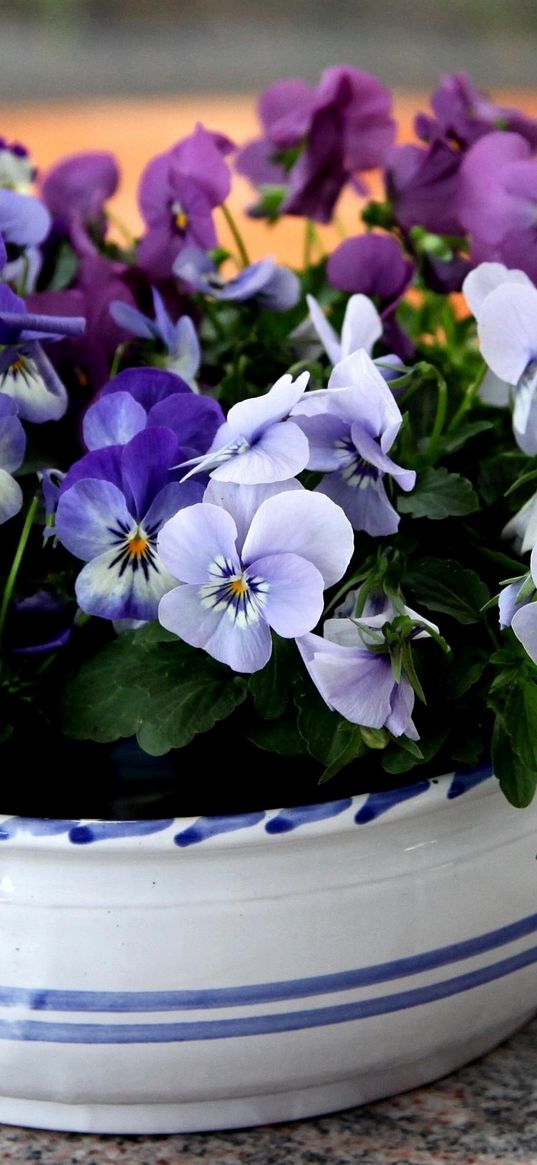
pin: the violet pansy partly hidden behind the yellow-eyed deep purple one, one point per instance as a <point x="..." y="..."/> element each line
<point x="142" y="398"/>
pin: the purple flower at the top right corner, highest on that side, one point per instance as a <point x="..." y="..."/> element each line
<point x="463" y="115"/>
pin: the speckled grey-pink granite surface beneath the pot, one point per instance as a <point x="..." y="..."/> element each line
<point x="485" y="1113"/>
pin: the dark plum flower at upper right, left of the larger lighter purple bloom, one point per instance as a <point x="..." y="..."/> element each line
<point x="422" y="185"/>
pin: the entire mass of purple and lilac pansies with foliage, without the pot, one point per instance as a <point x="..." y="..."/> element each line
<point x="291" y="509"/>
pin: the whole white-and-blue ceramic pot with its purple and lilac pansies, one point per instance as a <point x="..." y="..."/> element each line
<point x="268" y="620"/>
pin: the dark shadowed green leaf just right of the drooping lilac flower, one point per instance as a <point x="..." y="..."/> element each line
<point x="443" y="585"/>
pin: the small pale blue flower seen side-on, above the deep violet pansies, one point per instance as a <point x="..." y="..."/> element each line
<point x="180" y="338"/>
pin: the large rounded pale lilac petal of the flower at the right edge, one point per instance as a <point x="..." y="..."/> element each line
<point x="507" y="330"/>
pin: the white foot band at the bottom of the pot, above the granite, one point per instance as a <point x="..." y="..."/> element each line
<point x="248" y="1112"/>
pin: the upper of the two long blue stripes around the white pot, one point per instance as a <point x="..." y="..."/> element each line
<point x="50" y="1000"/>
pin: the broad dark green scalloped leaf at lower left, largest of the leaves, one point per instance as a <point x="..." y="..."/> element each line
<point x="150" y="684"/>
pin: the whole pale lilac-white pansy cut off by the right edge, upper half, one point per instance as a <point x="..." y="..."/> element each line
<point x="507" y="329"/>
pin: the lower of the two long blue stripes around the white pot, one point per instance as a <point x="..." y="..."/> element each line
<point x="44" y="1032"/>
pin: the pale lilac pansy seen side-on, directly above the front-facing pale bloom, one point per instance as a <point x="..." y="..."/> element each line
<point x="258" y="443"/>
